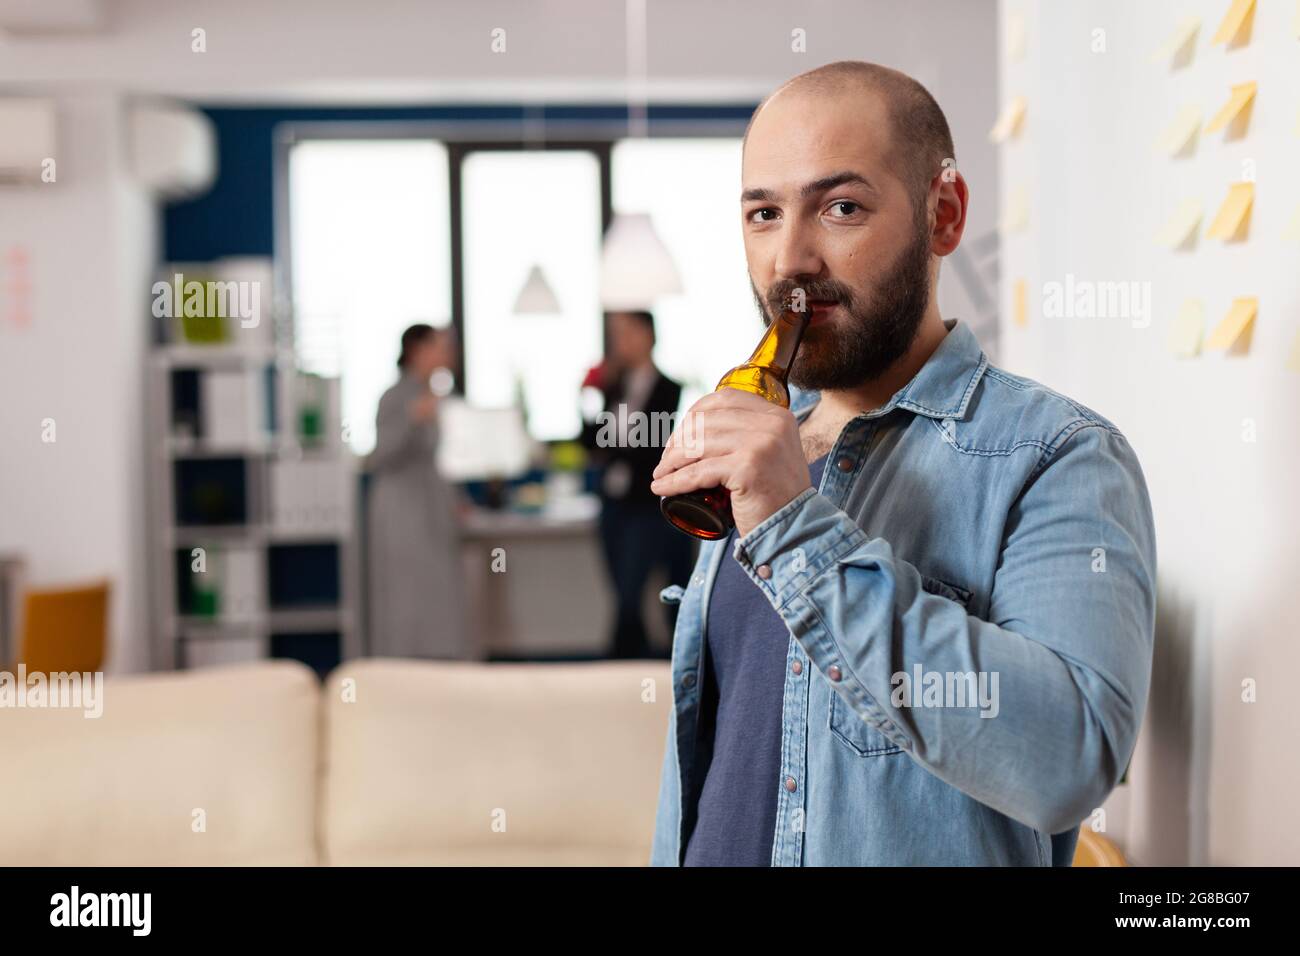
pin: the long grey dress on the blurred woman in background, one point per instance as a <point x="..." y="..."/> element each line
<point x="417" y="581"/>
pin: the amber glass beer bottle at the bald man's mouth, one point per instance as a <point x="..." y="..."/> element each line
<point x="707" y="512"/>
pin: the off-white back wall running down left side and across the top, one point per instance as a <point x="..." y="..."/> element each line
<point x="77" y="508"/>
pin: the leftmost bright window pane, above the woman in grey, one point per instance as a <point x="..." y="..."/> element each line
<point x="371" y="256"/>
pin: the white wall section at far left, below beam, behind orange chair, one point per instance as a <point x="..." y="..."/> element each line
<point x="73" y="508"/>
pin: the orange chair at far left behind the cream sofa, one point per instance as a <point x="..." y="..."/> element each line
<point x="64" y="630"/>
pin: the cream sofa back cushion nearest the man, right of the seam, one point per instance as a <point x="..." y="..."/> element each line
<point x="493" y="764"/>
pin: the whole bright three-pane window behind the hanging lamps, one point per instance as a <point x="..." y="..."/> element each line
<point x="371" y="244"/>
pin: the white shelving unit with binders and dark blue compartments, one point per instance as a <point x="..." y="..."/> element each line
<point x="235" y="469"/>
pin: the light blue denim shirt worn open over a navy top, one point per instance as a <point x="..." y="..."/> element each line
<point x="977" y="533"/>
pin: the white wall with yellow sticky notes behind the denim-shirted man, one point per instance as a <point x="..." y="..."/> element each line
<point x="1214" y="777"/>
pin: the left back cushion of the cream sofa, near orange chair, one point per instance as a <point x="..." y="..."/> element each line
<point x="237" y="743"/>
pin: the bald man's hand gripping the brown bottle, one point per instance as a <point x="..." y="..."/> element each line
<point x="739" y="442"/>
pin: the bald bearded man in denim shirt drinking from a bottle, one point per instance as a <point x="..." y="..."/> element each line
<point x="929" y="639"/>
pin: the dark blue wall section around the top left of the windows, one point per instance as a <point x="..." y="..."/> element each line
<point x="237" y="217"/>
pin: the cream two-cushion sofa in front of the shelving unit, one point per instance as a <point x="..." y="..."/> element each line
<point x="428" y="764"/>
